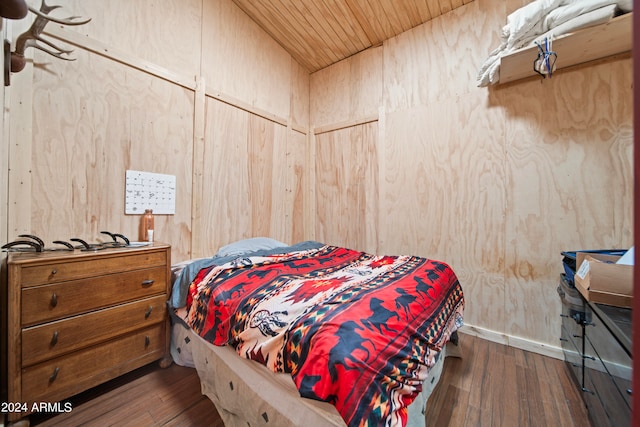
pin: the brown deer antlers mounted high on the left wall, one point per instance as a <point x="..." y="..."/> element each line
<point x="33" y="38"/>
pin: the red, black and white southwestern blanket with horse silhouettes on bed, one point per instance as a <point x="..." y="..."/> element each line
<point x="357" y="330"/>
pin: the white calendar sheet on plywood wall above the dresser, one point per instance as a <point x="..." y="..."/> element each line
<point x="146" y="190"/>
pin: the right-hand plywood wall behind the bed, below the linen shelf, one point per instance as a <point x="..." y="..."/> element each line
<point x="496" y="182"/>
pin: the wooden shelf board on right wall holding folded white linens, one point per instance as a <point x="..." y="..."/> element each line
<point x="588" y="44"/>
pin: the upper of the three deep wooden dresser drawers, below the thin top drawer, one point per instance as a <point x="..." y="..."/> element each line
<point x="51" y="302"/>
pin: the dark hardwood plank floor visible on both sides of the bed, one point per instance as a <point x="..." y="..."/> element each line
<point x="491" y="385"/>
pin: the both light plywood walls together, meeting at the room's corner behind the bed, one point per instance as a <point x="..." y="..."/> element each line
<point x="394" y="150"/>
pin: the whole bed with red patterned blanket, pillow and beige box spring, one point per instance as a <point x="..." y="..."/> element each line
<point x="342" y="337"/>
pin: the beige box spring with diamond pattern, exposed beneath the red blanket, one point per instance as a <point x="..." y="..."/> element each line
<point x="247" y="393"/>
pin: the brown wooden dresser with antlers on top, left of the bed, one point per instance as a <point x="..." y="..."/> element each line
<point x="77" y="319"/>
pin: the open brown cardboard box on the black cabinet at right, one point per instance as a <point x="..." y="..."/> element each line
<point x="599" y="279"/>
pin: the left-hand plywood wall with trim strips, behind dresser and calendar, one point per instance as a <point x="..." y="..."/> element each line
<point x="188" y="88"/>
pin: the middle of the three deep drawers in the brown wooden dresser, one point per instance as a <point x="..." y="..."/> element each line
<point x="53" y="339"/>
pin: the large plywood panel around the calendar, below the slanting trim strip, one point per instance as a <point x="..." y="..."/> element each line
<point x="94" y="119"/>
